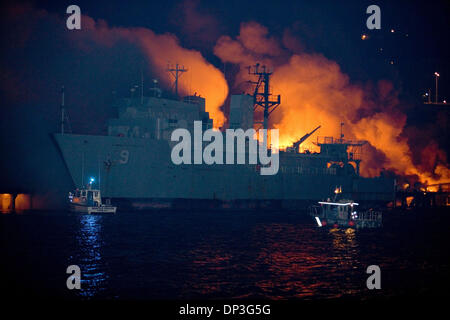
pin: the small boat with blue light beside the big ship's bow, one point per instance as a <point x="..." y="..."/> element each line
<point x="89" y="201"/>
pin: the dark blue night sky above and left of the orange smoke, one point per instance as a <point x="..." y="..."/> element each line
<point x="37" y="59"/>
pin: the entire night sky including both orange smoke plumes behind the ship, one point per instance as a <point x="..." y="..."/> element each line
<point x="324" y="70"/>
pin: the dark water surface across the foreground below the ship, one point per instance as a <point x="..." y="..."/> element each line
<point x="204" y="255"/>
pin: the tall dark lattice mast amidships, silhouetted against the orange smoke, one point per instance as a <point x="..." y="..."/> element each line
<point x="262" y="99"/>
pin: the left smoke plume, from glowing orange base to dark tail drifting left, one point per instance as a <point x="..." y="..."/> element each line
<point x="161" y="50"/>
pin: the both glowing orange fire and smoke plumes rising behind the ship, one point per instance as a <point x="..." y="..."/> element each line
<point x="314" y="92"/>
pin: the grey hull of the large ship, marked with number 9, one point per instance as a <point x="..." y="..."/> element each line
<point x="139" y="173"/>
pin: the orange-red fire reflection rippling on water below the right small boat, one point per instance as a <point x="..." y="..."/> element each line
<point x="302" y="263"/>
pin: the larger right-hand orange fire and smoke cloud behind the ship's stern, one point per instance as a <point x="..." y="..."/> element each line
<point x="316" y="92"/>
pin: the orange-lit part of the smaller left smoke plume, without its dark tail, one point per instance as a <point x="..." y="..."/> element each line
<point x="163" y="49"/>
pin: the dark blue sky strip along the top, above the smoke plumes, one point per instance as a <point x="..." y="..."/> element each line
<point x="332" y="28"/>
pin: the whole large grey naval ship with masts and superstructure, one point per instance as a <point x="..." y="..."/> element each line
<point x="132" y="164"/>
